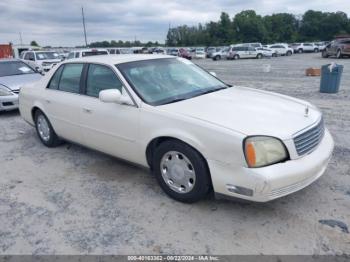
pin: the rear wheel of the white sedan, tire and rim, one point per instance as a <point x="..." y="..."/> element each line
<point x="45" y="131"/>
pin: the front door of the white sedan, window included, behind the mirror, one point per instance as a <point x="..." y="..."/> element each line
<point x="108" y="127"/>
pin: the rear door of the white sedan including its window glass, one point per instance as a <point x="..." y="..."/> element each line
<point x="62" y="101"/>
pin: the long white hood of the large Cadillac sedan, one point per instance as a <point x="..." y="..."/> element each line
<point x="249" y="111"/>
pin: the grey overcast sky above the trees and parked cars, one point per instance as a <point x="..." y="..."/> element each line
<point x="58" y="22"/>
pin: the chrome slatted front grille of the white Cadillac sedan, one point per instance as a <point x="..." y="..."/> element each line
<point x="309" y="139"/>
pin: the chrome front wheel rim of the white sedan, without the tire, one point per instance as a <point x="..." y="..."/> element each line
<point x="178" y="172"/>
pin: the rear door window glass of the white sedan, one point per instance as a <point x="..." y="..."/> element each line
<point x="70" y="78"/>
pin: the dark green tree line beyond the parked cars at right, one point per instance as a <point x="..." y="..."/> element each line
<point x="248" y="26"/>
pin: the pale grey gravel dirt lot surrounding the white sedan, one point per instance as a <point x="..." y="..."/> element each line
<point x="71" y="200"/>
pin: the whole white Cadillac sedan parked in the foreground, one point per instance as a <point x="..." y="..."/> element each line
<point x="196" y="133"/>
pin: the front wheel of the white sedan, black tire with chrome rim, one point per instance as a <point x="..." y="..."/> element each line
<point x="181" y="171"/>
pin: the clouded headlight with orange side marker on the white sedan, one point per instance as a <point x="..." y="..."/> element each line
<point x="264" y="150"/>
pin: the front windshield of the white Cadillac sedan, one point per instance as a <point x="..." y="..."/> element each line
<point x="168" y="80"/>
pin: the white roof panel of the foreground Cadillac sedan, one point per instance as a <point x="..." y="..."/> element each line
<point x="117" y="59"/>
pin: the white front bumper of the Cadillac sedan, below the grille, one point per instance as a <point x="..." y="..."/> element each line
<point x="271" y="182"/>
